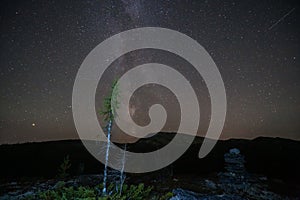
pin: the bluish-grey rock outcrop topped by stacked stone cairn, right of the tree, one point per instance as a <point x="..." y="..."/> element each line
<point x="234" y="183"/>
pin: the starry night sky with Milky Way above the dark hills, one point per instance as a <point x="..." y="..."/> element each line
<point x="255" y="45"/>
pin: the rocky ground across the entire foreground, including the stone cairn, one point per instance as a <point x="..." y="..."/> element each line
<point x="232" y="183"/>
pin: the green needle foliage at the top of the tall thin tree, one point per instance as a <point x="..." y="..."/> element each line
<point x="111" y="103"/>
